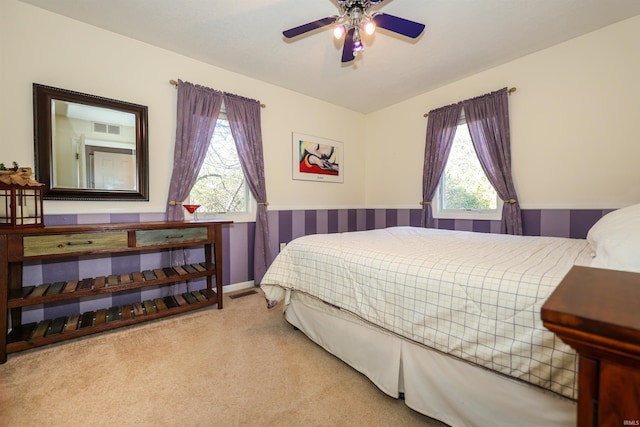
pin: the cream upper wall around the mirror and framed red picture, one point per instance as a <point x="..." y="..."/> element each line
<point x="37" y="46"/>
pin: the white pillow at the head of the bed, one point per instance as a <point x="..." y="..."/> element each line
<point x="615" y="240"/>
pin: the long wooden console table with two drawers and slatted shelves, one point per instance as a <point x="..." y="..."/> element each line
<point x="33" y="244"/>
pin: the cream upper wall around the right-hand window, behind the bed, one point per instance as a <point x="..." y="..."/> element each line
<point x="574" y="126"/>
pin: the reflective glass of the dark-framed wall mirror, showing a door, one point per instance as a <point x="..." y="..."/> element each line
<point x="93" y="147"/>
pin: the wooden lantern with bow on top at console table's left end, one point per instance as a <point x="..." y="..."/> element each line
<point x="20" y="198"/>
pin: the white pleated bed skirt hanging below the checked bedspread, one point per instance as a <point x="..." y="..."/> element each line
<point x="439" y="386"/>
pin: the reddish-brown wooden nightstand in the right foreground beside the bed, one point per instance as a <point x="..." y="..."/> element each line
<point x="597" y="312"/>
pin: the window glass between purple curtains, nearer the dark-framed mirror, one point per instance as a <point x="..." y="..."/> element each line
<point x="221" y="189"/>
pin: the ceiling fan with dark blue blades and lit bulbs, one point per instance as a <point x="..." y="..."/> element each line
<point x="355" y="16"/>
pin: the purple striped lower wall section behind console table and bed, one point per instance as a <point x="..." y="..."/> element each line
<point x="237" y="248"/>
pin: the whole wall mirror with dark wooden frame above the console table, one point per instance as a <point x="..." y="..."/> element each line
<point x="88" y="147"/>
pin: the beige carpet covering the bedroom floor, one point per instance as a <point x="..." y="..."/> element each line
<point x="240" y="366"/>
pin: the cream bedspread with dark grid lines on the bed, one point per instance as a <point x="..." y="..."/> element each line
<point x="474" y="296"/>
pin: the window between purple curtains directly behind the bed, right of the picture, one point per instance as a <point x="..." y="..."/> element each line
<point x="464" y="191"/>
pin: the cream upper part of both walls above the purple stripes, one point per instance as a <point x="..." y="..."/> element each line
<point x="574" y="117"/>
